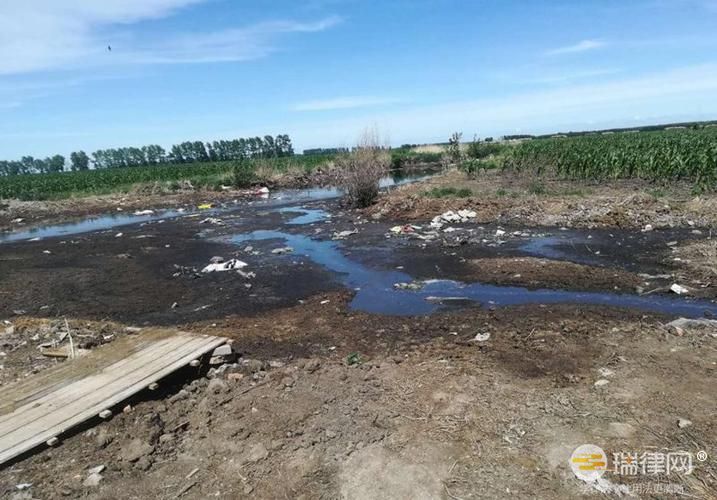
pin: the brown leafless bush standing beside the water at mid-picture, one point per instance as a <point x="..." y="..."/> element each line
<point x="359" y="172"/>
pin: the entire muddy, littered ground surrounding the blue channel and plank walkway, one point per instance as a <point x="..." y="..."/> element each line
<point x="326" y="401"/>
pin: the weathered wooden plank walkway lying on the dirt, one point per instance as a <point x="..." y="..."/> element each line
<point x="44" y="406"/>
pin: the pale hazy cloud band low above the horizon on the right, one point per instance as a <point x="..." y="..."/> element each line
<point x="684" y="93"/>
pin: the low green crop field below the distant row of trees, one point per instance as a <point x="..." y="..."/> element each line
<point x="63" y="184"/>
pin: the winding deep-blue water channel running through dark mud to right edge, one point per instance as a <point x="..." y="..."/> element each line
<point x="375" y="292"/>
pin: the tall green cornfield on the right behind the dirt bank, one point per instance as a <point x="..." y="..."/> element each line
<point x="689" y="155"/>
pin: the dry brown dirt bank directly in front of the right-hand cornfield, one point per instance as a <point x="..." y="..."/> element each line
<point x="510" y="198"/>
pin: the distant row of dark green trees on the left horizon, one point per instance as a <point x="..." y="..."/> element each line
<point x="153" y="154"/>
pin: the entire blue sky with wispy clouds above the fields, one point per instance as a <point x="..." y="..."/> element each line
<point x="323" y="70"/>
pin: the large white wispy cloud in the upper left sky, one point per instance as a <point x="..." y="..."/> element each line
<point x="38" y="35"/>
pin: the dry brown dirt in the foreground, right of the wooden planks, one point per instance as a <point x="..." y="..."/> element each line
<point x="421" y="410"/>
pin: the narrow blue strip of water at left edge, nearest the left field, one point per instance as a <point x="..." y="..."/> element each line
<point x="100" y="223"/>
